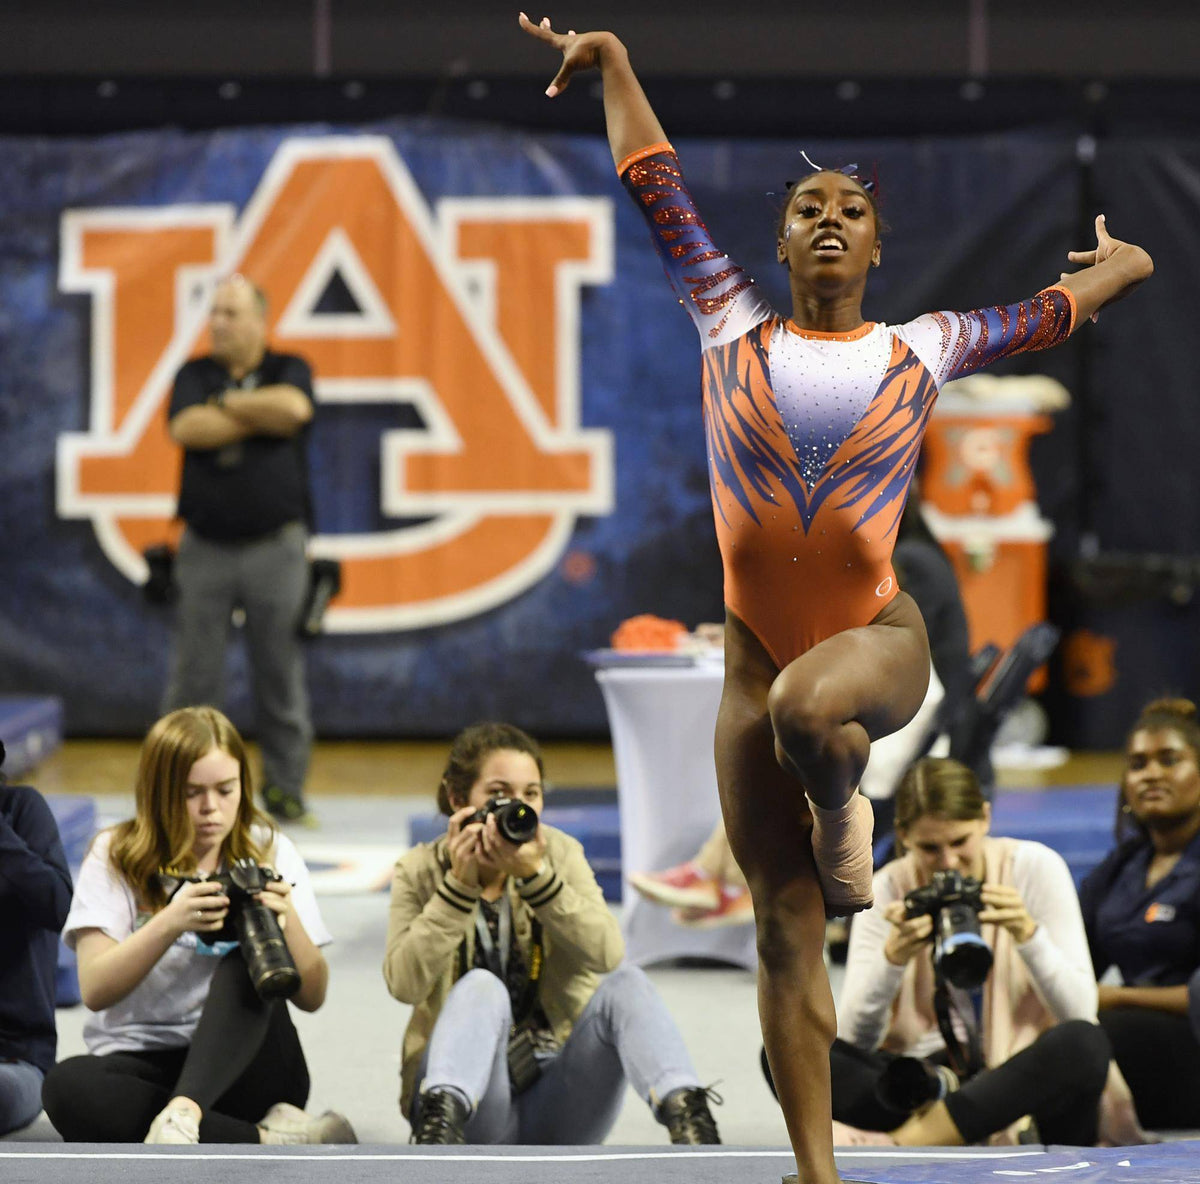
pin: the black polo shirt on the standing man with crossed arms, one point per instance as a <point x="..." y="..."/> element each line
<point x="253" y="488"/>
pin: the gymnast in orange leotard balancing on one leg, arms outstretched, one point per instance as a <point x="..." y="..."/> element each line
<point x="814" y="423"/>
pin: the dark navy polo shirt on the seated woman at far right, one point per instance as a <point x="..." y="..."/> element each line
<point x="1151" y="935"/>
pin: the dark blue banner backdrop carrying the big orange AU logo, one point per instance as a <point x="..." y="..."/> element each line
<point x="89" y="342"/>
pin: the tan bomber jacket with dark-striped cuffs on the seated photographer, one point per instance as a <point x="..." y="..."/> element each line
<point x="434" y="913"/>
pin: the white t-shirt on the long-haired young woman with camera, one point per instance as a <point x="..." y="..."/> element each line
<point x="164" y="1009"/>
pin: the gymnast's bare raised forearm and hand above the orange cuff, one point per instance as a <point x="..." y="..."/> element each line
<point x="629" y="117"/>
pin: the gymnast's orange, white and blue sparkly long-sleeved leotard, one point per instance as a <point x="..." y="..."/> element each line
<point x="813" y="437"/>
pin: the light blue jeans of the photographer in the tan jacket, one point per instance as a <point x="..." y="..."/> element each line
<point x="625" y="1035"/>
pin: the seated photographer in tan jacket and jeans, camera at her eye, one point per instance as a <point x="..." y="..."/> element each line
<point x="500" y="945"/>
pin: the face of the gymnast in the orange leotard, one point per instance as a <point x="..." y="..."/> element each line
<point x="830" y="233"/>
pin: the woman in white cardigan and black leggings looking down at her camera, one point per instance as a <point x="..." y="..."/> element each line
<point x="969" y="1002"/>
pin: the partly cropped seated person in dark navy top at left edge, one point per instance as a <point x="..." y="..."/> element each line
<point x="35" y="895"/>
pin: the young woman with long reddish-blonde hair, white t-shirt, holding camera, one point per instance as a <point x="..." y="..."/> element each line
<point x="191" y="1039"/>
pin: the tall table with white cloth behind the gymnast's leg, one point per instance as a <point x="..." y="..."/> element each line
<point x="663" y="716"/>
